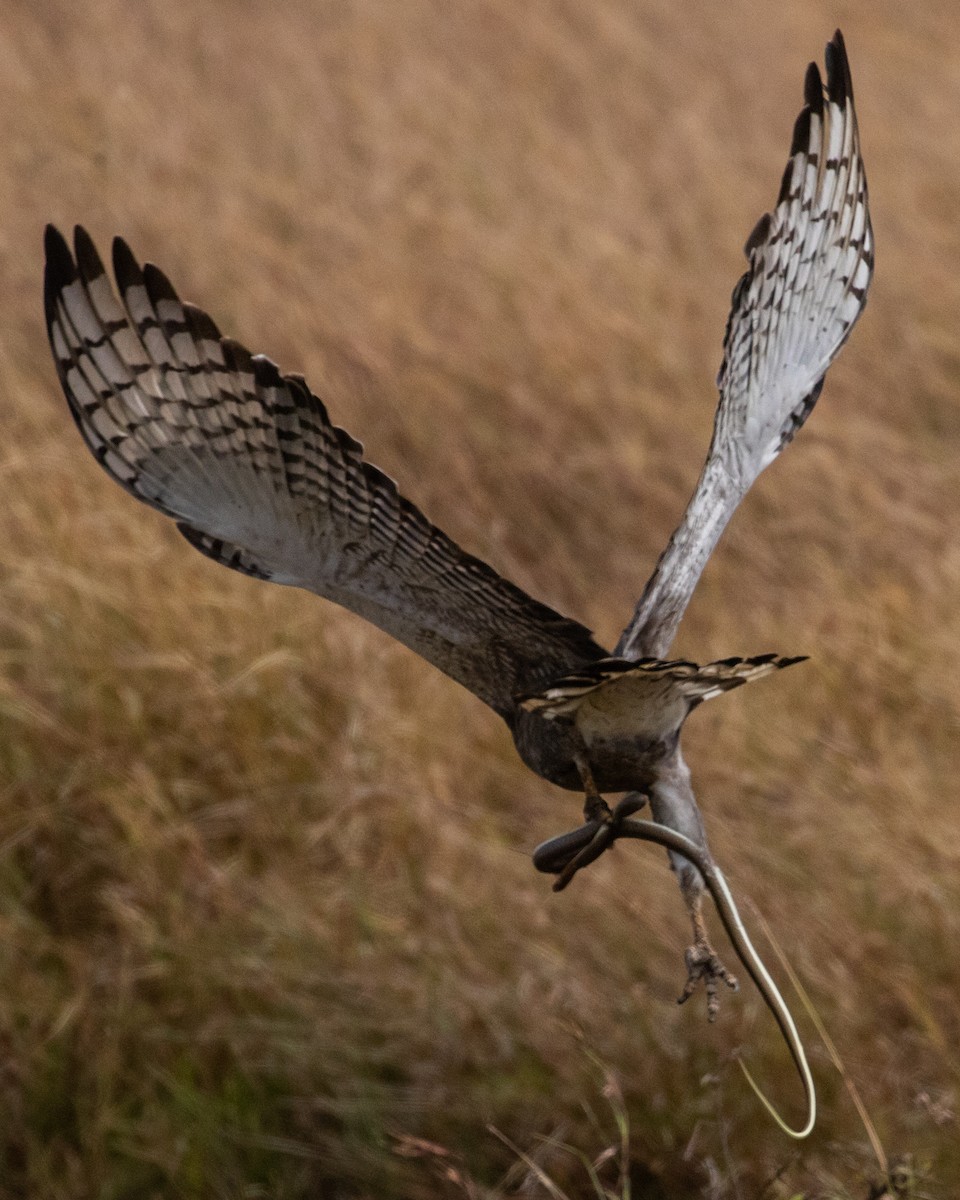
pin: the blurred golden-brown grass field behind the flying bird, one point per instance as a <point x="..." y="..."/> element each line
<point x="267" y="910"/>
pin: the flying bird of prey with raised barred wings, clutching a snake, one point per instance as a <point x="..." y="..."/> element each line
<point x="257" y="477"/>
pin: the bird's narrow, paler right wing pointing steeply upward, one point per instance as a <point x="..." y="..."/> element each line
<point x="811" y="267"/>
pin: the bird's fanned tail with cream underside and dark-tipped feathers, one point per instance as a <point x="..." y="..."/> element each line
<point x="646" y="698"/>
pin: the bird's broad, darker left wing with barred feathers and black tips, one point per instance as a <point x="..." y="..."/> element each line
<point x="249" y="465"/>
